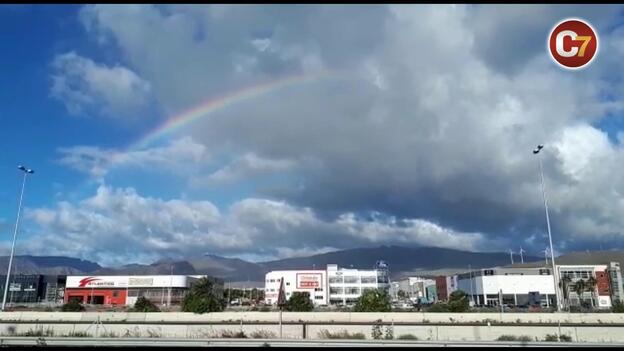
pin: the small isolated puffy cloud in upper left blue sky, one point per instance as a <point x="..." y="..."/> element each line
<point x="85" y="87"/>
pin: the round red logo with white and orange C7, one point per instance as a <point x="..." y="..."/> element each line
<point x="573" y="43"/>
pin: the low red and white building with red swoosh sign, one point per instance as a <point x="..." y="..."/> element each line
<point x="125" y="290"/>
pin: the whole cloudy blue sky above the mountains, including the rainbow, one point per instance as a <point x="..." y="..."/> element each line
<point x="272" y="131"/>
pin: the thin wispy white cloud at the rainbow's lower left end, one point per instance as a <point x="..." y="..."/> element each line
<point x="178" y="155"/>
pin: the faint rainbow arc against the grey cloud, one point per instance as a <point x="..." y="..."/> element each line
<point x="206" y="108"/>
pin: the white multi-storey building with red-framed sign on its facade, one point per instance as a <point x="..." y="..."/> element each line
<point x="331" y="286"/>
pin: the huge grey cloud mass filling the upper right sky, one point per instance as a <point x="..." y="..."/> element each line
<point x="435" y="120"/>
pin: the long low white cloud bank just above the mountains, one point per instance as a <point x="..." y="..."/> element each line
<point x="118" y="226"/>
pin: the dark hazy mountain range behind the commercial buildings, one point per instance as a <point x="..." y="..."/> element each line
<point x="402" y="261"/>
